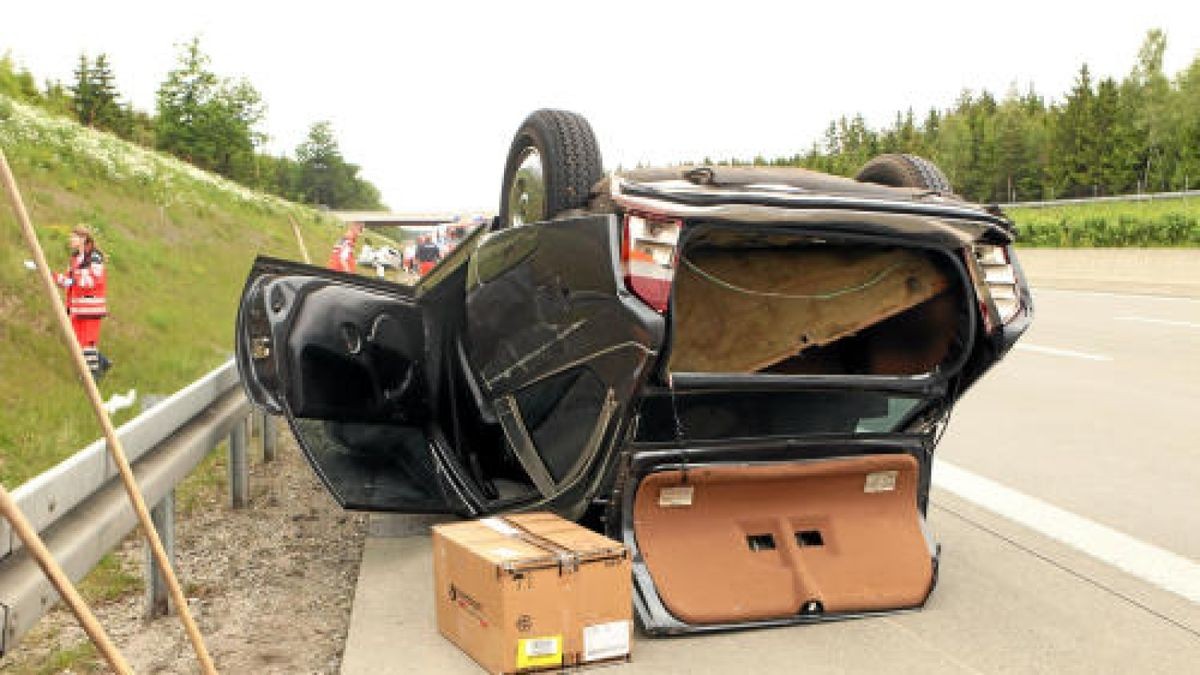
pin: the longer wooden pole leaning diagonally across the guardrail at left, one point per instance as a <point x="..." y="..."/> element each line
<point x="115" y="445"/>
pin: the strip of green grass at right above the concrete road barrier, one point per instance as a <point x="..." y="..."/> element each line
<point x="1166" y="223"/>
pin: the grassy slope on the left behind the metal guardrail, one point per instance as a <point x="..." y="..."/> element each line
<point x="179" y="243"/>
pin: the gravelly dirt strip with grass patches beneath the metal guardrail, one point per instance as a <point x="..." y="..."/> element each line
<point x="271" y="587"/>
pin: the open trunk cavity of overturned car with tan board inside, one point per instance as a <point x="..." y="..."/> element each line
<point x="748" y="310"/>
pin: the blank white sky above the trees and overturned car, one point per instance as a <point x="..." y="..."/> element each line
<point x="425" y="97"/>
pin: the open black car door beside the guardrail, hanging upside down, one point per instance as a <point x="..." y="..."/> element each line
<point x="344" y="359"/>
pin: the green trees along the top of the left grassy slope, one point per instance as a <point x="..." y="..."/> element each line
<point x="208" y="121"/>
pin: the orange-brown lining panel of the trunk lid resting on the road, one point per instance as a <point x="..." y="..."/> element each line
<point x="763" y="542"/>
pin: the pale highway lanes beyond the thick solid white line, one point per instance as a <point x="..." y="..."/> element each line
<point x="1097" y="411"/>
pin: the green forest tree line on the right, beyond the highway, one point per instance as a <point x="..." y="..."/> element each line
<point x="1111" y="138"/>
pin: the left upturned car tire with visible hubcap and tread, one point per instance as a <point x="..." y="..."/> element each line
<point x="553" y="165"/>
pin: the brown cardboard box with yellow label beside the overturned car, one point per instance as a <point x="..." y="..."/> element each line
<point x="532" y="593"/>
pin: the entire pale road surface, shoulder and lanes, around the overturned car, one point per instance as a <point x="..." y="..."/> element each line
<point x="1065" y="501"/>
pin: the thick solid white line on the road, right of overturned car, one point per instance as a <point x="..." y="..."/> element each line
<point x="1161" y="568"/>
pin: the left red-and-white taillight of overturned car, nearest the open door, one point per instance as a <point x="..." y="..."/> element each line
<point x="649" y="258"/>
